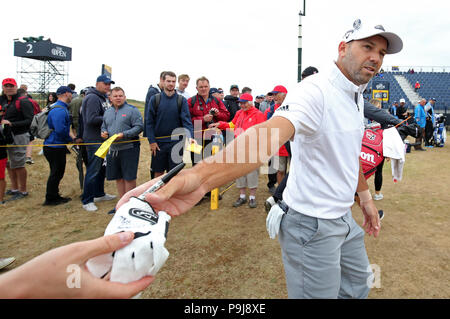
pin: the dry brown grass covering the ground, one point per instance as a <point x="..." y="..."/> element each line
<point x="228" y="254"/>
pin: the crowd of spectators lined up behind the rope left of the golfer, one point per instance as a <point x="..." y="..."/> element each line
<point x="172" y="119"/>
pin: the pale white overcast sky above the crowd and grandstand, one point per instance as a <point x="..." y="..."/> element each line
<point x="249" y="43"/>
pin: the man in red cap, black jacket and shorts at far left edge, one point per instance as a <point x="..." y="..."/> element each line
<point x="18" y="116"/>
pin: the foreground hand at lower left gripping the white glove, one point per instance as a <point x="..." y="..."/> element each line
<point x="61" y="273"/>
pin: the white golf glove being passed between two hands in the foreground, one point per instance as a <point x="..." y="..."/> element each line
<point x="145" y="255"/>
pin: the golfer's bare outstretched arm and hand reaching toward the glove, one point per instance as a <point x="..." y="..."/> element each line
<point x="242" y="156"/>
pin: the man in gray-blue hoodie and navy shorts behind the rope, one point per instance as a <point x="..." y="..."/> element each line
<point x="123" y="158"/>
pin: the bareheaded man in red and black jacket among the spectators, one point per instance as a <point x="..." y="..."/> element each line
<point x="205" y="109"/>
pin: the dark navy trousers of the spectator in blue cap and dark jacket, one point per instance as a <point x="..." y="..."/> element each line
<point x="94" y="180"/>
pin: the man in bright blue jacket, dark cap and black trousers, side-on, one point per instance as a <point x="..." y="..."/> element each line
<point x="54" y="151"/>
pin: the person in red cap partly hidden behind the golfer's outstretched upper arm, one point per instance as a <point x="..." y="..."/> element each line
<point x="280" y="160"/>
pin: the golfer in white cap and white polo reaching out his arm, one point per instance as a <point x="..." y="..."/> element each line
<point x="322" y="246"/>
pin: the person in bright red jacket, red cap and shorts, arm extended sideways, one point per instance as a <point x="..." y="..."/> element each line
<point x="245" y="118"/>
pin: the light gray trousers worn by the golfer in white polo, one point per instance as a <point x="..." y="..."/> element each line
<point x="324" y="258"/>
